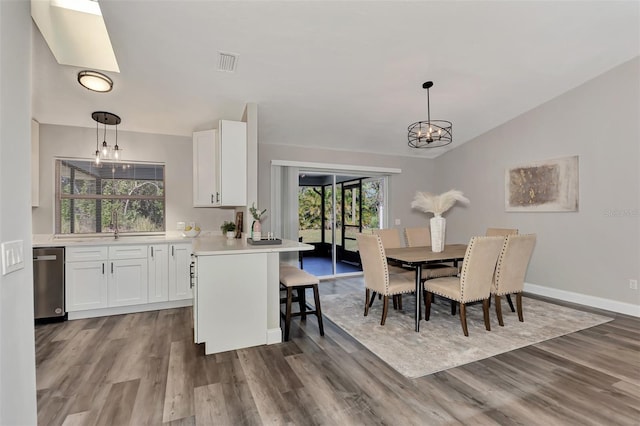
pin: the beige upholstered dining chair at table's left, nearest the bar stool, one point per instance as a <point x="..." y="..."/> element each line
<point x="376" y="273"/>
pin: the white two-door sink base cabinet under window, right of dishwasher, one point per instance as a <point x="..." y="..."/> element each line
<point x="105" y="276"/>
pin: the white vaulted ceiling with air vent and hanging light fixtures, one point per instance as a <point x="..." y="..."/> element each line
<point x="343" y="74"/>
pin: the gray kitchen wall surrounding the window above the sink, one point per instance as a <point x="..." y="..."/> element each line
<point x="174" y="151"/>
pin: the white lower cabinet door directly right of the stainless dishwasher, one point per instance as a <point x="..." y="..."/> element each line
<point x="85" y="285"/>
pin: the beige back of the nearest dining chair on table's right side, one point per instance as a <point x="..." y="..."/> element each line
<point x="478" y="267"/>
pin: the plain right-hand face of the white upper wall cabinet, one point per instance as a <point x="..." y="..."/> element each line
<point x="232" y="163"/>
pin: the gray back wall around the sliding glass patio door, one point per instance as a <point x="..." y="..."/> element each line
<point x="417" y="174"/>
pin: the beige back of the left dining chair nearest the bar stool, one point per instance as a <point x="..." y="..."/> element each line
<point x="374" y="262"/>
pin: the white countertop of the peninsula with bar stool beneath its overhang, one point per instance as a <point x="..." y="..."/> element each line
<point x="213" y="246"/>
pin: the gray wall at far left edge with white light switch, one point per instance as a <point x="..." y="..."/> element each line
<point x="17" y="348"/>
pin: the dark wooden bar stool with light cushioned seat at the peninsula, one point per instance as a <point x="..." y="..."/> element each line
<point x="292" y="278"/>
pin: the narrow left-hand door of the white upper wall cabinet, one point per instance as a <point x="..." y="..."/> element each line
<point x="205" y="169"/>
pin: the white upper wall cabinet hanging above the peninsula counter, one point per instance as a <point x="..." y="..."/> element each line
<point x="220" y="165"/>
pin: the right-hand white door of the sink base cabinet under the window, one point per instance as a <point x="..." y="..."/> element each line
<point x="127" y="282"/>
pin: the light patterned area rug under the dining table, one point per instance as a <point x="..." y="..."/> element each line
<point x="440" y="344"/>
